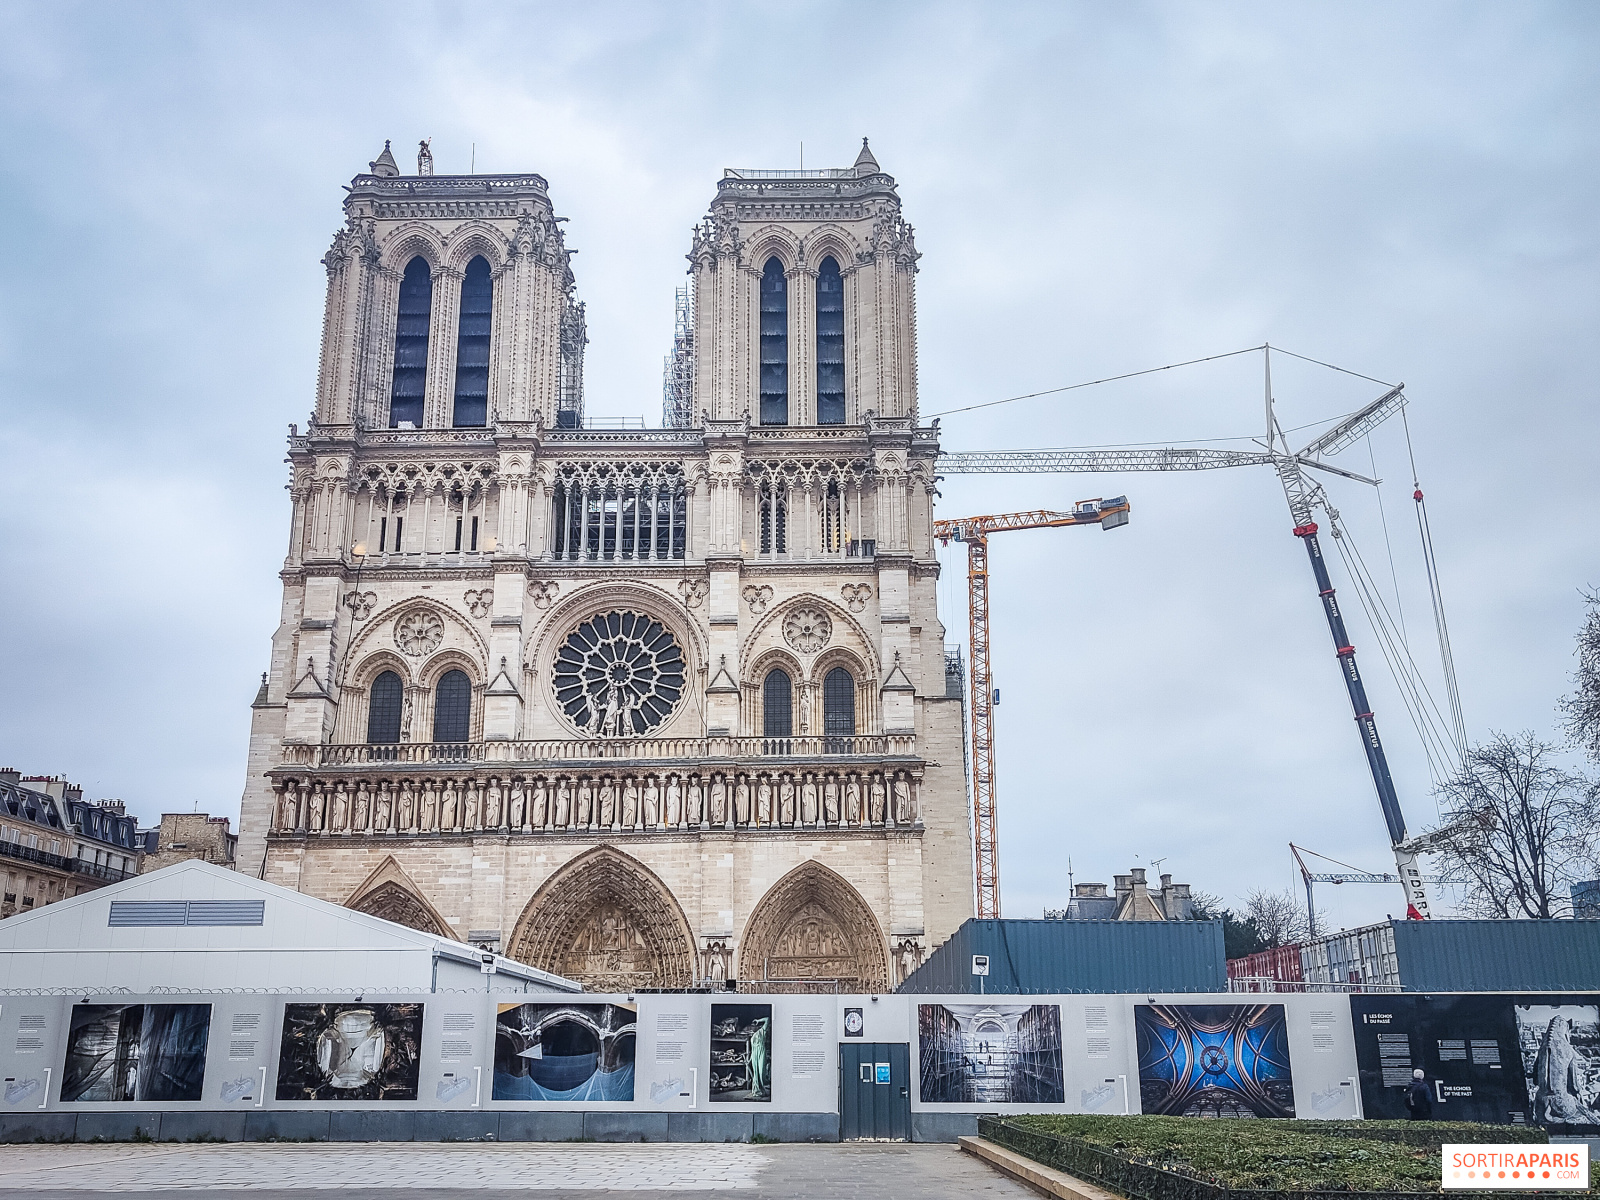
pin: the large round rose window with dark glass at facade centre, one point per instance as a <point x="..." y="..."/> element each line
<point x="620" y="674"/>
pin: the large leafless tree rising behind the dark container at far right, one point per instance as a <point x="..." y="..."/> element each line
<point x="1518" y="831"/>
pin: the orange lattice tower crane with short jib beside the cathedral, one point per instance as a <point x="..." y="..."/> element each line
<point x="1110" y="514"/>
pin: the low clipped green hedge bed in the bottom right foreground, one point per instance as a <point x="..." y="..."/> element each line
<point x="1183" y="1159"/>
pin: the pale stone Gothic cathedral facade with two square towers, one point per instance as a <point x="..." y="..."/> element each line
<point x="646" y="708"/>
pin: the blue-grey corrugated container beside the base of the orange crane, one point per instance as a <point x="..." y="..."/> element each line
<point x="1079" y="956"/>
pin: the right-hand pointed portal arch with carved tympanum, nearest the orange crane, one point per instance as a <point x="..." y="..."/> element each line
<point x="815" y="927"/>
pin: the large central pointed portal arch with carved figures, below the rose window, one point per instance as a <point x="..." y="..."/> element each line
<point x="607" y="922"/>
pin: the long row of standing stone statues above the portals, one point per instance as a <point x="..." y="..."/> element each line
<point x="593" y="802"/>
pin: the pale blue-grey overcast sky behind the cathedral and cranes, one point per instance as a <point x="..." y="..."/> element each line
<point x="1409" y="191"/>
